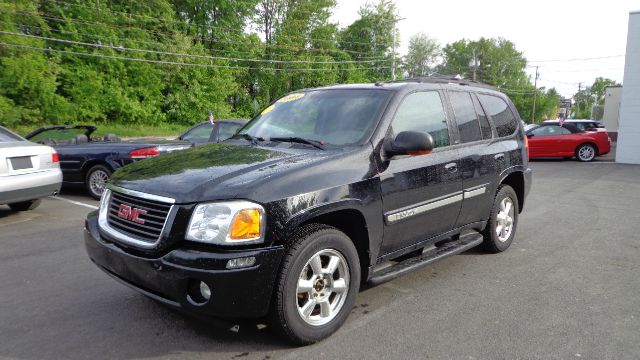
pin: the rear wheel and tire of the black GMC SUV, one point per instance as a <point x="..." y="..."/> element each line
<point x="500" y="231"/>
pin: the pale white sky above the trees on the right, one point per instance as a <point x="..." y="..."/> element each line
<point x="542" y="30"/>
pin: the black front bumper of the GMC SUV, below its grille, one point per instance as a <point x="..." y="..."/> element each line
<point x="237" y="293"/>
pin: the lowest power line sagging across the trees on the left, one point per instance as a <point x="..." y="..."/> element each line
<point x="178" y="63"/>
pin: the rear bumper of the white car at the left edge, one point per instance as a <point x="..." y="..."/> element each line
<point x="29" y="186"/>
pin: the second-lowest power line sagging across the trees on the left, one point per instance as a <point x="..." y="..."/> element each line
<point x="121" y="48"/>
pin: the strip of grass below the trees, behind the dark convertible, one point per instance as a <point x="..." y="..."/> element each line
<point x="123" y="130"/>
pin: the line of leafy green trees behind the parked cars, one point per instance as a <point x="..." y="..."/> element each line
<point x="157" y="61"/>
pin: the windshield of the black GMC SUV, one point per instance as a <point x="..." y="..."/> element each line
<point x="336" y="117"/>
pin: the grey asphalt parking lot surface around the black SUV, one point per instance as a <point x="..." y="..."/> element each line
<point x="568" y="288"/>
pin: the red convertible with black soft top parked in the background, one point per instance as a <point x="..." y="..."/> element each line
<point x="550" y="139"/>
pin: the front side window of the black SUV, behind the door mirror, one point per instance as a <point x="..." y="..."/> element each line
<point x="423" y="112"/>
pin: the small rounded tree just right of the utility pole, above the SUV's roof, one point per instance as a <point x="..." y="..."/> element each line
<point x="422" y="55"/>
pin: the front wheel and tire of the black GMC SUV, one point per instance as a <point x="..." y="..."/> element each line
<point x="327" y="308"/>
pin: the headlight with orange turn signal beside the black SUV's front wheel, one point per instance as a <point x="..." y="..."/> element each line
<point x="227" y="223"/>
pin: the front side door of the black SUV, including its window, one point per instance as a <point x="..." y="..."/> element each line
<point x="421" y="194"/>
